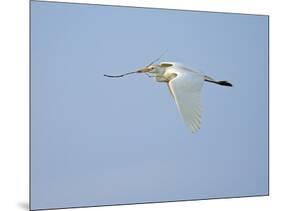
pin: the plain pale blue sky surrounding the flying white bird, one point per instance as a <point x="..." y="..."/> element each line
<point x="99" y="141"/>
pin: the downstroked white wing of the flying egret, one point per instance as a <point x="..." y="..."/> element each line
<point x="186" y="89"/>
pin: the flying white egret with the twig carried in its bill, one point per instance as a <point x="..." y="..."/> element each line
<point x="185" y="86"/>
